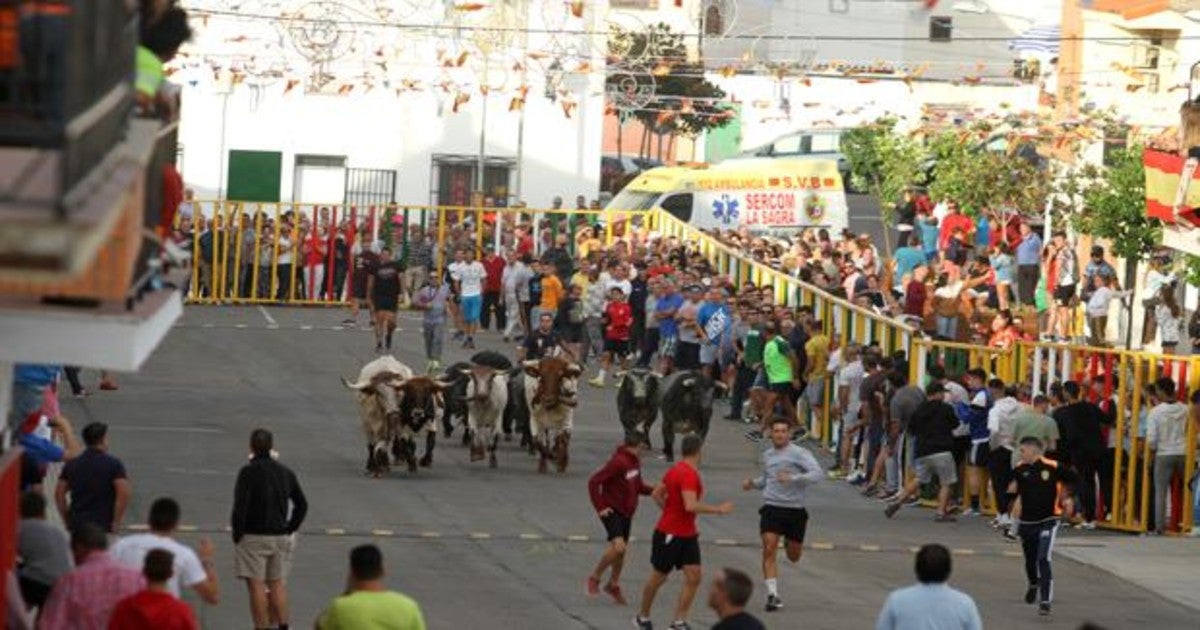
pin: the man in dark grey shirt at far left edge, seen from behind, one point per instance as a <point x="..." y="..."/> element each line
<point x="44" y="550"/>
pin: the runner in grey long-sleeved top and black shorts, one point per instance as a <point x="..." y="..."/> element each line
<point x="787" y="471"/>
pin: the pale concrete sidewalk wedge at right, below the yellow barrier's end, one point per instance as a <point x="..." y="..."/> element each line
<point x="1166" y="567"/>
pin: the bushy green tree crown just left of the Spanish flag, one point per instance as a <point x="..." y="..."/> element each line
<point x="1115" y="206"/>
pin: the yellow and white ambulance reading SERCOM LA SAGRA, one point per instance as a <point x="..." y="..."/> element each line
<point x="766" y="196"/>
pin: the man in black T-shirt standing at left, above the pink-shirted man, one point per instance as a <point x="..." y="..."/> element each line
<point x="97" y="484"/>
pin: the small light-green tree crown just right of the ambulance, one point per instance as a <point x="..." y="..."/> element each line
<point x="884" y="161"/>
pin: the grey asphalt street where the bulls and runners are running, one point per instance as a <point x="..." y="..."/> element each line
<point x="484" y="549"/>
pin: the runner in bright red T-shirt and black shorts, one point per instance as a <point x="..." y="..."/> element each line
<point x="676" y="542"/>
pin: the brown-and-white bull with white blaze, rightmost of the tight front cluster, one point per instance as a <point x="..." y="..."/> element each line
<point x="551" y="388"/>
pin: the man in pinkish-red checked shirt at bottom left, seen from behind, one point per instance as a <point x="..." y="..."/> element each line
<point x="85" y="599"/>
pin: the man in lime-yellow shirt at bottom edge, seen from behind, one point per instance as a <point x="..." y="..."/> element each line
<point x="368" y="602"/>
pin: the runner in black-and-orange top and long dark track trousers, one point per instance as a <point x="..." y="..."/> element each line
<point x="1043" y="491"/>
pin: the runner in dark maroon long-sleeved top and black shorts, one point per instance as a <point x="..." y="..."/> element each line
<point x="615" y="490"/>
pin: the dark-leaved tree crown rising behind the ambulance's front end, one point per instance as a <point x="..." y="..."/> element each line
<point x="685" y="104"/>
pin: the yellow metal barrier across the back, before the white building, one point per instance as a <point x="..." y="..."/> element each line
<point x="248" y="253"/>
